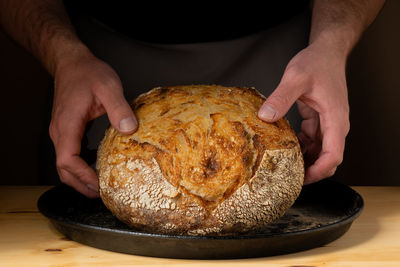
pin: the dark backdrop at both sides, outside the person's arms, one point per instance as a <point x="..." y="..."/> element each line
<point x="371" y="156"/>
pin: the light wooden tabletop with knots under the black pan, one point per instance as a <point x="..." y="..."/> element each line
<point x="28" y="239"/>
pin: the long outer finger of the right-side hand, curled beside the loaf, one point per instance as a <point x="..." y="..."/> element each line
<point x="334" y="129"/>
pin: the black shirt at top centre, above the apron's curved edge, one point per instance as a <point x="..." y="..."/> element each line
<point x="193" y="22"/>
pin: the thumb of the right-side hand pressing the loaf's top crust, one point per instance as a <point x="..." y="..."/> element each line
<point x="278" y="103"/>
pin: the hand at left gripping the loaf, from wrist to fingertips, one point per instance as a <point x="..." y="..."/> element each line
<point x="85" y="88"/>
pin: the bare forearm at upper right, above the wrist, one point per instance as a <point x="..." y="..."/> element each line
<point x="339" y="24"/>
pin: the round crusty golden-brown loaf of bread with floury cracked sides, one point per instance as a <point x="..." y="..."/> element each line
<point x="200" y="163"/>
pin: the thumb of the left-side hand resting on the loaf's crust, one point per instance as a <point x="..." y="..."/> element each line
<point x="118" y="110"/>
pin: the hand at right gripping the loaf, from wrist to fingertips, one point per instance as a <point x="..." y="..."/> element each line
<point x="315" y="79"/>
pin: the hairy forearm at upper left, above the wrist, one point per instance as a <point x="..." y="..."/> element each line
<point x="43" y="28"/>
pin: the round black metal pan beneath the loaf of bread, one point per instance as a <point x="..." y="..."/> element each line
<point x="323" y="212"/>
